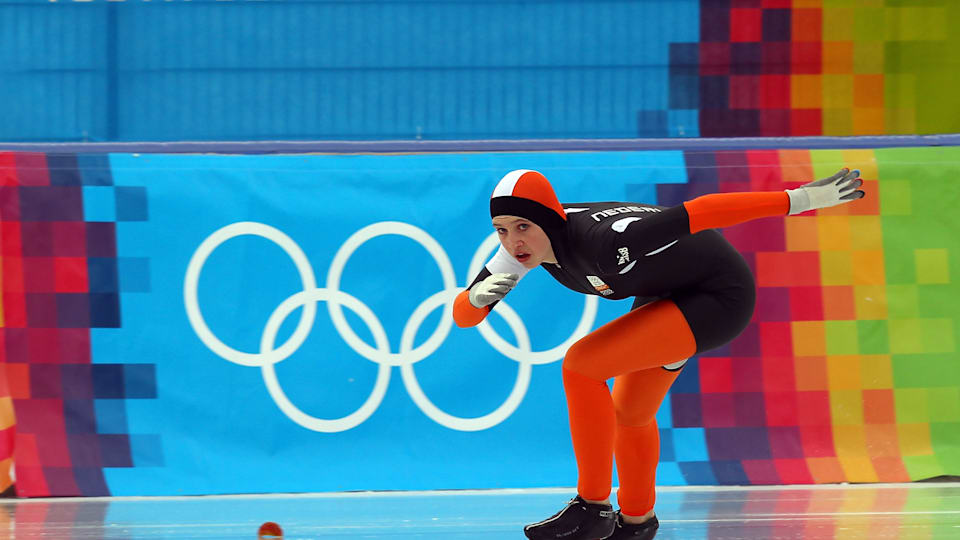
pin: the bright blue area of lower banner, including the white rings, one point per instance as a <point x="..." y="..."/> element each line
<point x="296" y="310"/>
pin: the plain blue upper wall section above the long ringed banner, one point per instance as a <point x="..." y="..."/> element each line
<point x="404" y="69"/>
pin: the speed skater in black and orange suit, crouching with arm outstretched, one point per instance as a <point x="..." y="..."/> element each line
<point x="693" y="292"/>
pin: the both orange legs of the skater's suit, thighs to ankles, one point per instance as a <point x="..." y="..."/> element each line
<point x="631" y="349"/>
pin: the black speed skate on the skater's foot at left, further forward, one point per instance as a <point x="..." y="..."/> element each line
<point x="579" y="520"/>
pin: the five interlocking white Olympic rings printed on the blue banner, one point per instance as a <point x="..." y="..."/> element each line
<point x="270" y="354"/>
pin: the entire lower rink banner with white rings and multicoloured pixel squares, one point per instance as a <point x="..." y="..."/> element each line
<point x="848" y="371"/>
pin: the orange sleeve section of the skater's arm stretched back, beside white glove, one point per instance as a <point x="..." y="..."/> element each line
<point x="725" y="209"/>
